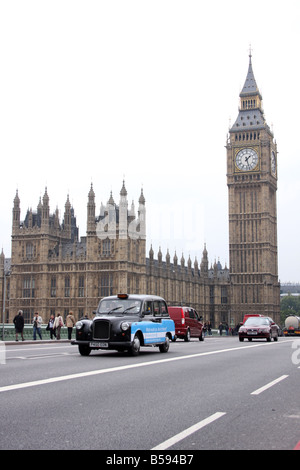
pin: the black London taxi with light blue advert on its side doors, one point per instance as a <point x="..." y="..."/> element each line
<point x="125" y="323"/>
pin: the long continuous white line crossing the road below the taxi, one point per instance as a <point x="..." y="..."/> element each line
<point x="125" y="367"/>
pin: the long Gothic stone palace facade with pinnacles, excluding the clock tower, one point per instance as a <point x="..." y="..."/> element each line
<point x="52" y="271"/>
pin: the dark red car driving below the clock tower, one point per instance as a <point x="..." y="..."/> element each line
<point x="259" y="327"/>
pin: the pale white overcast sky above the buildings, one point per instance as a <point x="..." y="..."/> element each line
<point x="101" y="91"/>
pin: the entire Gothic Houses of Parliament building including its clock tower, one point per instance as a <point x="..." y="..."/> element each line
<point x="51" y="270"/>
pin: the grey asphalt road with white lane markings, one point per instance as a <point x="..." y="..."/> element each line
<point x="216" y="394"/>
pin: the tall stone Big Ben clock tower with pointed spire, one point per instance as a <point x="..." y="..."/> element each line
<point x="252" y="186"/>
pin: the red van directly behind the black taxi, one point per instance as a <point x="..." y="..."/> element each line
<point x="187" y="323"/>
